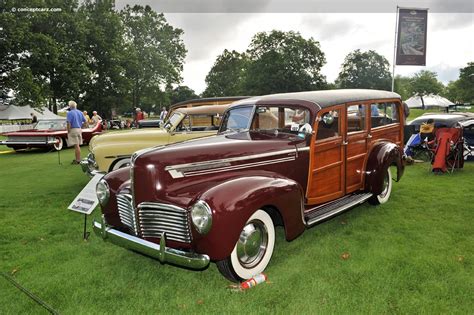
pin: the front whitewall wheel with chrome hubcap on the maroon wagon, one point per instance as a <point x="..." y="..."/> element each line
<point x="253" y="250"/>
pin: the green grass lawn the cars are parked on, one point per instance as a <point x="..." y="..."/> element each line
<point x="414" y="254"/>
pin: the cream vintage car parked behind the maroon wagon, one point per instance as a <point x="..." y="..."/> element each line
<point x="112" y="150"/>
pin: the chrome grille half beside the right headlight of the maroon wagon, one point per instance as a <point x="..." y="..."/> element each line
<point x="156" y="218"/>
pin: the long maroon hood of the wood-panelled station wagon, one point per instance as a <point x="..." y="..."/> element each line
<point x="164" y="173"/>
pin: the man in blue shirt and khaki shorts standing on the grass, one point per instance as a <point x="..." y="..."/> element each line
<point x="75" y="121"/>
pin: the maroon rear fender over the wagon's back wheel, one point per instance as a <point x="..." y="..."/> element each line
<point x="383" y="155"/>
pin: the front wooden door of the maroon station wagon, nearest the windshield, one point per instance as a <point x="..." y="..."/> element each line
<point x="327" y="163"/>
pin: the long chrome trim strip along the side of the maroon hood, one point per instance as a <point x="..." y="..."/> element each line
<point x="177" y="171"/>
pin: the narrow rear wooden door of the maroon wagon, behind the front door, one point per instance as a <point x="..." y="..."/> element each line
<point x="356" y="143"/>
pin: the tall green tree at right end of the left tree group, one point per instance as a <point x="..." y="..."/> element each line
<point x="154" y="51"/>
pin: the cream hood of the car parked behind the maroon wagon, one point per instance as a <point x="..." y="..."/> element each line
<point x="126" y="138"/>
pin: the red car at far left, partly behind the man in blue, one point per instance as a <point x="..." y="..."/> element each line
<point x="50" y="133"/>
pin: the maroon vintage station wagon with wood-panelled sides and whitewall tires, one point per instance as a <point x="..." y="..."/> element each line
<point x="291" y="159"/>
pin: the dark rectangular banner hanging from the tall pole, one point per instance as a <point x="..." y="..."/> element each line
<point x="411" y="40"/>
